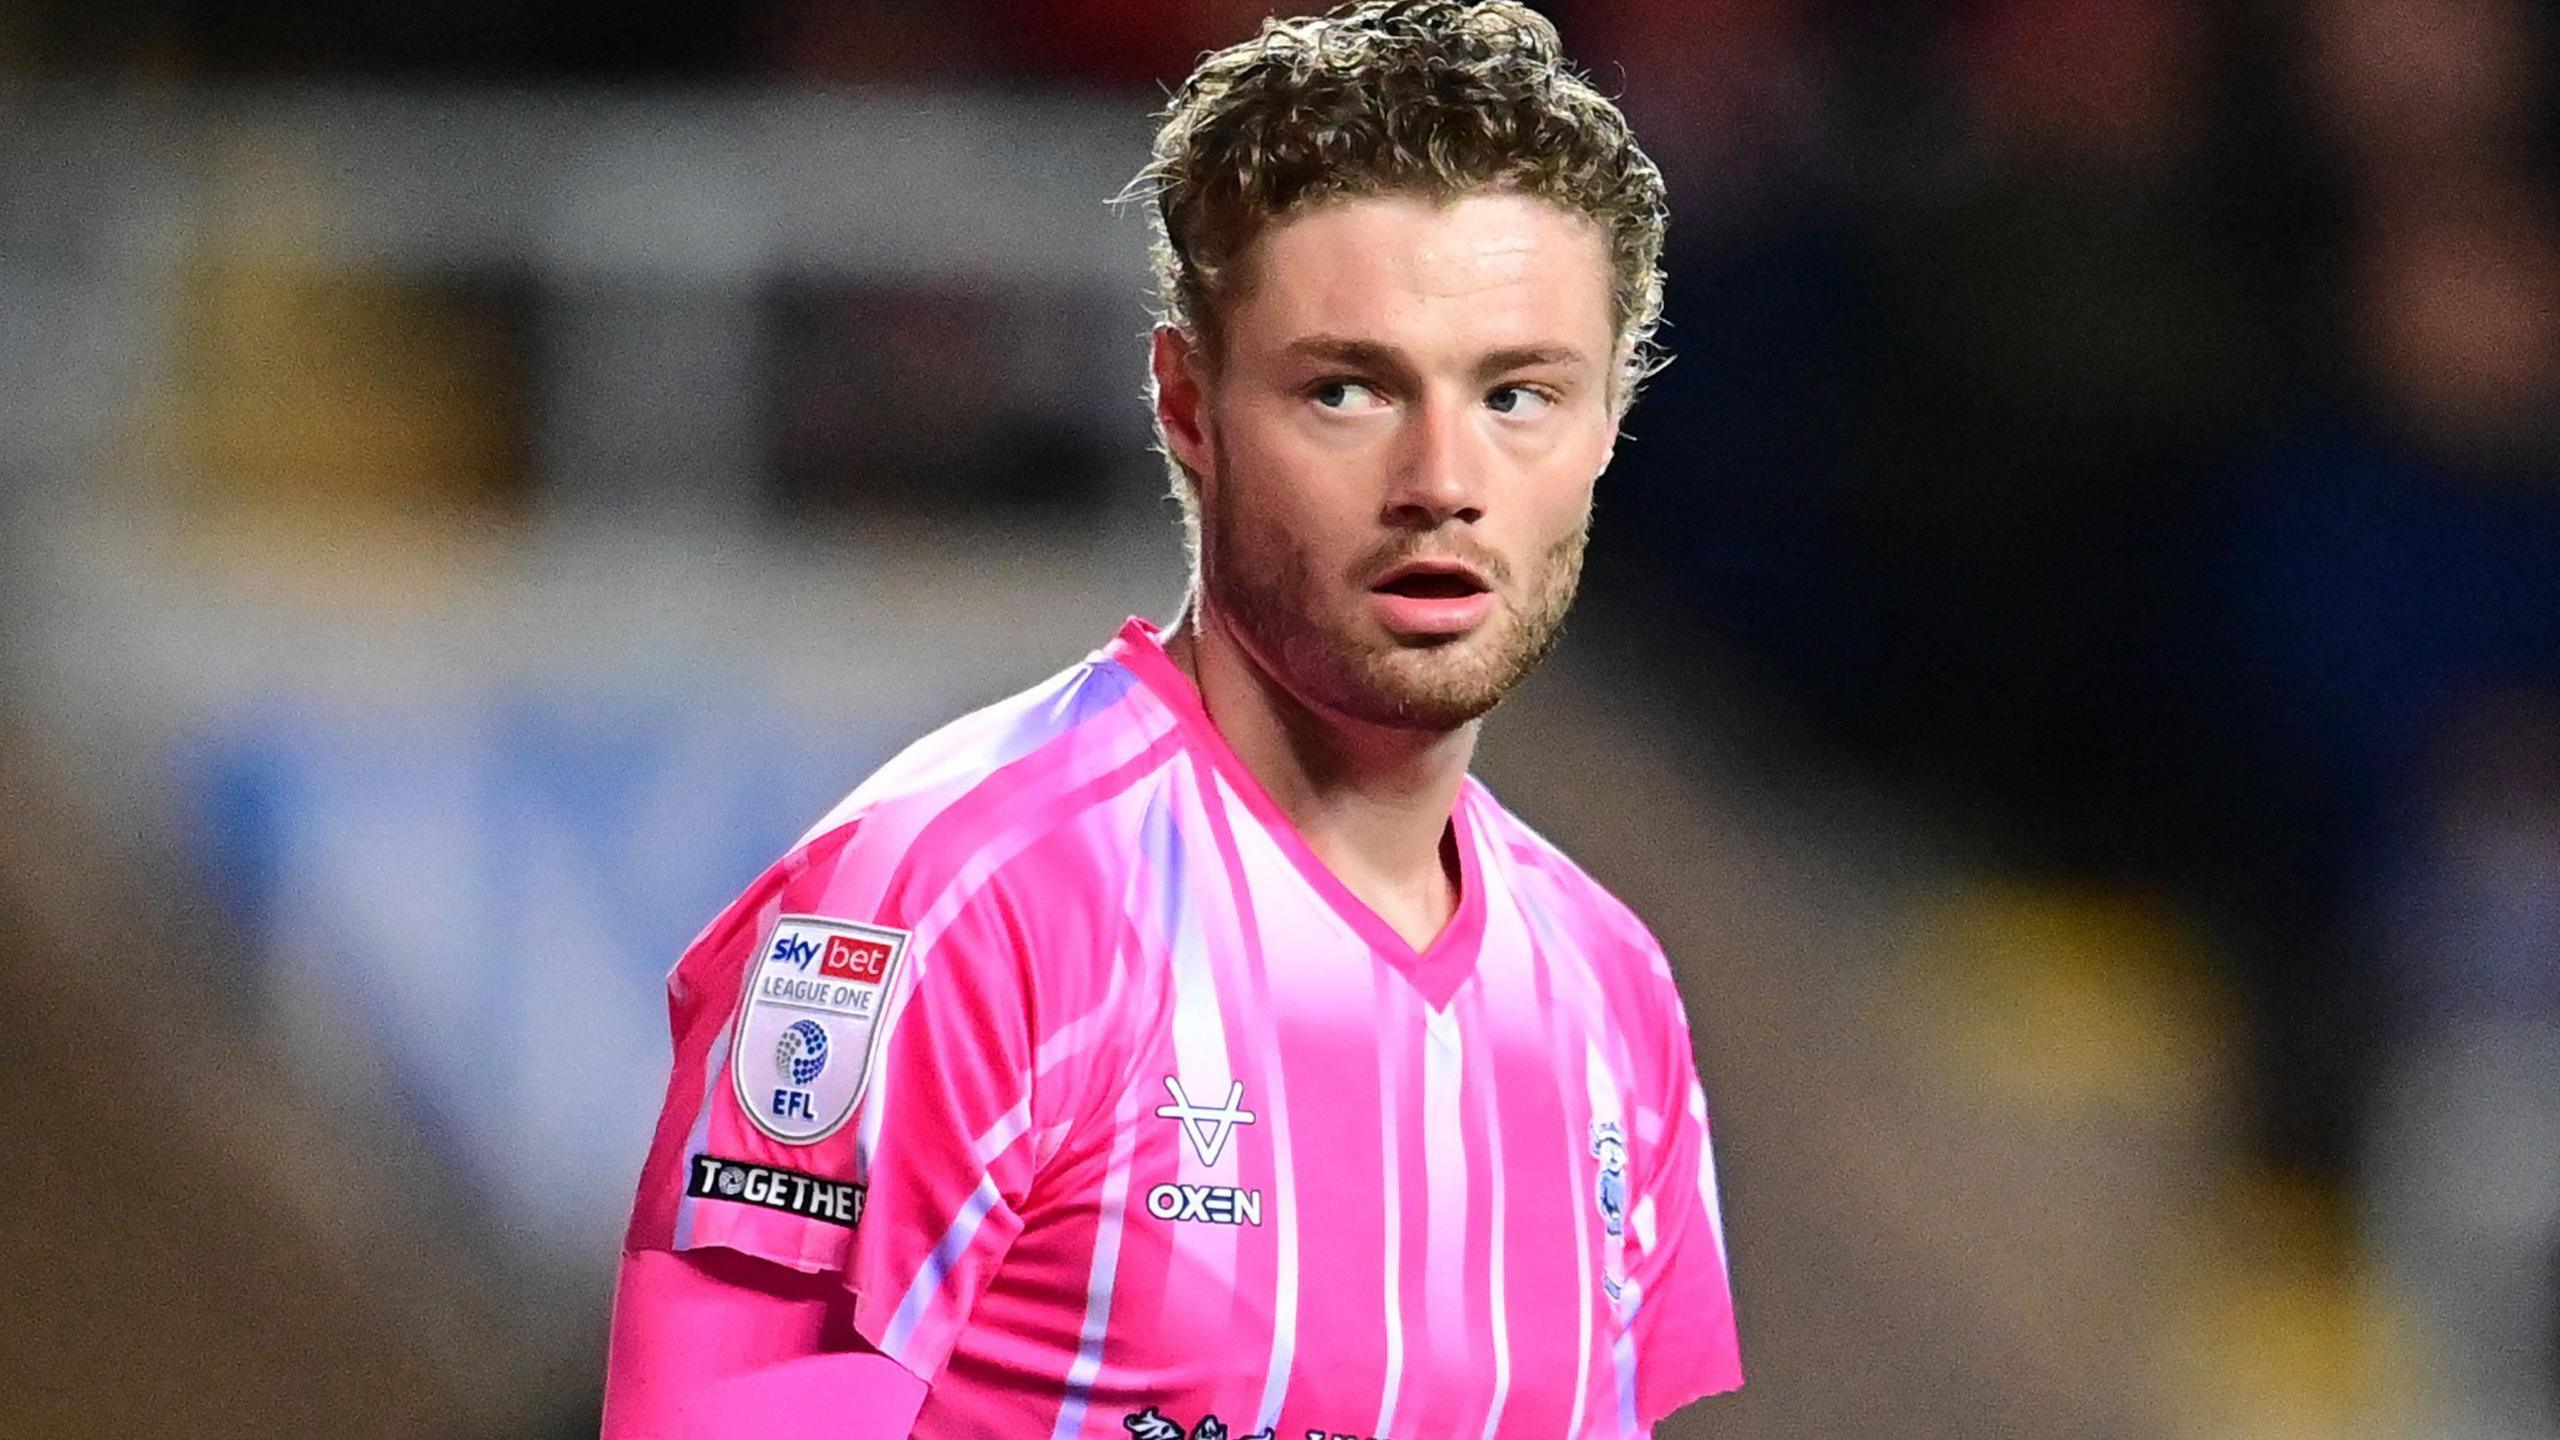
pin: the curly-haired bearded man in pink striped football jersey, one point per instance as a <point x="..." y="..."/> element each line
<point x="1189" y="1047"/>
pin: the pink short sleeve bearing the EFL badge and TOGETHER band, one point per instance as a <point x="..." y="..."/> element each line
<point x="854" y="1090"/>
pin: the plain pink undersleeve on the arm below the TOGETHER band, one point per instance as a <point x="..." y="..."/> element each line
<point x="723" y="1344"/>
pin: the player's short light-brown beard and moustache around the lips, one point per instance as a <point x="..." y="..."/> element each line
<point x="1292" y="619"/>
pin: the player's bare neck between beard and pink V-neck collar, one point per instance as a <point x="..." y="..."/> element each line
<point x="1371" y="801"/>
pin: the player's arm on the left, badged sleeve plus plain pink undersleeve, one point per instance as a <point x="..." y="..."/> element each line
<point x="756" y="1231"/>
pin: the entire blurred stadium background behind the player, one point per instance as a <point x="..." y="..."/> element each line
<point x="2070" y="667"/>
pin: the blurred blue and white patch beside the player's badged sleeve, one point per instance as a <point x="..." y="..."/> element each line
<point x="467" y="906"/>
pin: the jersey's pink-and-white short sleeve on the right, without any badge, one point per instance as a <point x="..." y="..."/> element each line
<point x="1683" y="1329"/>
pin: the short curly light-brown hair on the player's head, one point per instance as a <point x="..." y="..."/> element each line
<point x="1440" y="99"/>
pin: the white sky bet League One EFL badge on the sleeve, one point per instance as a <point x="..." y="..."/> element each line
<point x="813" y="1016"/>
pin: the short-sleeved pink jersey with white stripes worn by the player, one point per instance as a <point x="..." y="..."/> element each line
<point x="1123" y="1116"/>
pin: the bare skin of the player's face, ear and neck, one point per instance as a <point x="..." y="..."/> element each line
<point x="1402" y="378"/>
